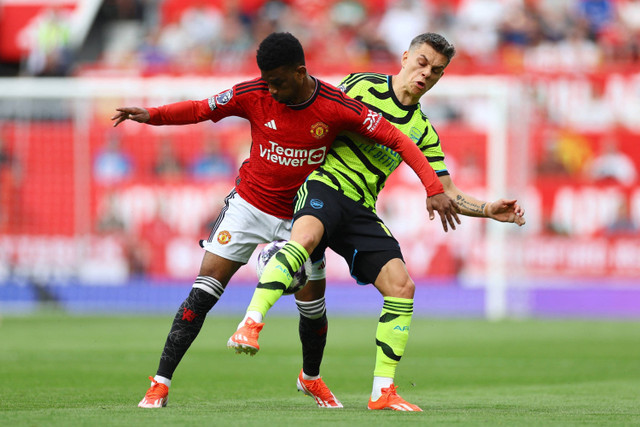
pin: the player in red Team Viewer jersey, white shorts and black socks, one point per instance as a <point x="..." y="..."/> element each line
<point x="294" y="118"/>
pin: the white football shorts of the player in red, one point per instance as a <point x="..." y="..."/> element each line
<point x="241" y="227"/>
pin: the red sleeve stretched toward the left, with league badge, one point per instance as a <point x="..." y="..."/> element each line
<point x="214" y="108"/>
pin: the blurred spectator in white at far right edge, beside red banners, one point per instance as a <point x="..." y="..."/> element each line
<point x="613" y="164"/>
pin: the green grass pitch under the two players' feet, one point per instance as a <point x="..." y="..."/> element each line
<point x="60" y="370"/>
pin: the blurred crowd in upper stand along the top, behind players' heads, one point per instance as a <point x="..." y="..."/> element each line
<point x="220" y="36"/>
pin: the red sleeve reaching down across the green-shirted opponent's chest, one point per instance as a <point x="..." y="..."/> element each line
<point x="372" y="125"/>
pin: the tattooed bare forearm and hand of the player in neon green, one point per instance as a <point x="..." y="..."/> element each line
<point x="502" y="210"/>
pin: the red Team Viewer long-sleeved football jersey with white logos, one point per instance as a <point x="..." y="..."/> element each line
<point x="290" y="141"/>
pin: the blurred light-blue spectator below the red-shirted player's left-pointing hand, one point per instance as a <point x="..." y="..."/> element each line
<point x="111" y="165"/>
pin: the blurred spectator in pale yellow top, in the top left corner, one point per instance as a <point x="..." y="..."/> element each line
<point x="48" y="41"/>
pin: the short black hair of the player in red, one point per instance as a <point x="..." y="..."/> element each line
<point x="279" y="49"/>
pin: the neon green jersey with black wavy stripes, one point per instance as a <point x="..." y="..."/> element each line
<point x="358" y="167"/>
